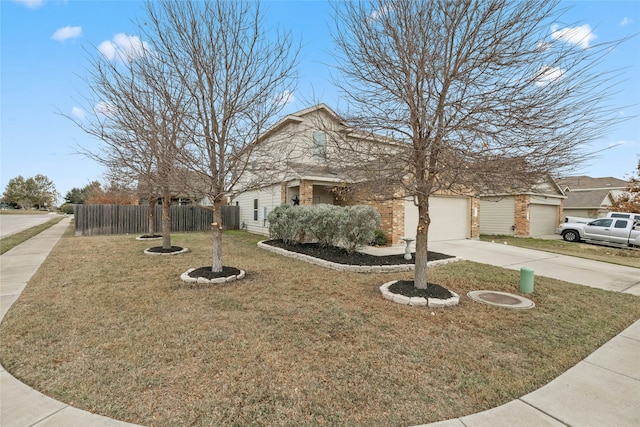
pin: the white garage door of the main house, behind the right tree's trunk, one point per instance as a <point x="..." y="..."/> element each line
<point x="450" y="218"/>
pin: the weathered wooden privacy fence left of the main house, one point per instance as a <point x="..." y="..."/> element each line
<point x="133" y="219"/>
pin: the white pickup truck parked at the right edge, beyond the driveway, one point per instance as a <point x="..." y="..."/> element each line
<point x="625" y="231"/>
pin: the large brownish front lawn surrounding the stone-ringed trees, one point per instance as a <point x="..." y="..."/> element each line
<point x="103" y="327"/>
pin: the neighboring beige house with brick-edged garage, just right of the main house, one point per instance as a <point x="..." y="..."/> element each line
<point x="532" y="213"/>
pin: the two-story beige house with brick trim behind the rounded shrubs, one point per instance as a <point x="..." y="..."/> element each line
<point x="308" y="176"/>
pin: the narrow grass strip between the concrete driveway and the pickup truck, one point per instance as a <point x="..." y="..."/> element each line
<point x="597" y="252"/>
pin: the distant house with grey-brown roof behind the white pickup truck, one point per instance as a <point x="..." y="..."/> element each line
<point x="590" y="197"/>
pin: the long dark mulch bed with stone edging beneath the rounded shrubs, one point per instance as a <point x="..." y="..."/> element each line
<point x="341" y="256"/>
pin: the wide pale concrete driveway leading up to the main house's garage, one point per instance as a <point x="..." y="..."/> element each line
<point x="570" y="269"/>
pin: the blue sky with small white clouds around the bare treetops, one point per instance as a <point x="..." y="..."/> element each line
<point x="44" y="46"/>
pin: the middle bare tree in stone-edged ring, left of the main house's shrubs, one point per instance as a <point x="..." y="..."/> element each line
<point x="236" y="76"/>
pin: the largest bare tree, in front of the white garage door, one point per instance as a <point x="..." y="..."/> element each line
<point x="479" y="95"/>
